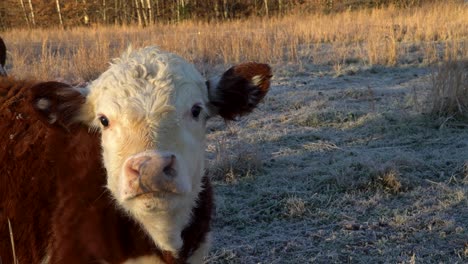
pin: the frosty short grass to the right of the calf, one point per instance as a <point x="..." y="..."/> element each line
<point x="344" y="168"/>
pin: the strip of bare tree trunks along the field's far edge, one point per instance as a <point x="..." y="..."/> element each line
<point x="70" y="13"/>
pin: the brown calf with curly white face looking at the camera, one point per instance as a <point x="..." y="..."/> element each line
<point x="113" y="172"/>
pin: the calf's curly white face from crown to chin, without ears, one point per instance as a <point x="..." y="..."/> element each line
<point x="151" y="108"/>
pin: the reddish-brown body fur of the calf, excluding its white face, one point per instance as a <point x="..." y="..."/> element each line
<point x="52" y="188"/>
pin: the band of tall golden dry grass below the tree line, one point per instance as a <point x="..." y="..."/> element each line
<point x="383" y="36"/>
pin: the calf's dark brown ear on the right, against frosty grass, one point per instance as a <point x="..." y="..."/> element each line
<point x="238" y="91"/>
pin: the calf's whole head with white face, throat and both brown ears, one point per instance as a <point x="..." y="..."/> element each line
<point x="151" y="108"/>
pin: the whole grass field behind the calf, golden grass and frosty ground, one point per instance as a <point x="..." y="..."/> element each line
<point x="352" y="158"/>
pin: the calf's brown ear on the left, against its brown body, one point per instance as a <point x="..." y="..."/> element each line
<point x="57" y="104"/>
